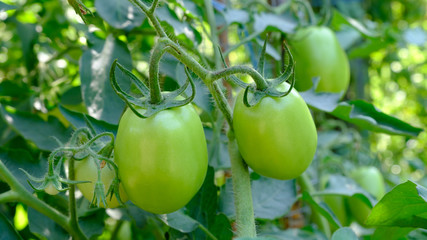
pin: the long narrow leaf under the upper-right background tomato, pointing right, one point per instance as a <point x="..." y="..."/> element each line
<point x="359" y="112"/>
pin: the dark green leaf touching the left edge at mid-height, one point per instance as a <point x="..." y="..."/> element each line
<point x="35" y="129"/>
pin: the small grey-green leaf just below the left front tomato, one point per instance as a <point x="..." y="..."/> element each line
<point x="180" y="221"/>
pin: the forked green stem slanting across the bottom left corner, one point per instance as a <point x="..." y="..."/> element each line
<point x="18" y="193"/>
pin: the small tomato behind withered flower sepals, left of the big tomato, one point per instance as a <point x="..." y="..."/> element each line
<point x="86" y="170"/>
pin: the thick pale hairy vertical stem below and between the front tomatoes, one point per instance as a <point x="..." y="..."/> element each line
<point x="245" y="220"/>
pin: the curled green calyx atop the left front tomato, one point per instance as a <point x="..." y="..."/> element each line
<point x="169" y="99"/>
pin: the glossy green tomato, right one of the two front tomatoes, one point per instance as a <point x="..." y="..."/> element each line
<point x="277" y="137"/>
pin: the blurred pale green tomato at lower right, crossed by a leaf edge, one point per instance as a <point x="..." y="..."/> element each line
<point x="370" y="179"/>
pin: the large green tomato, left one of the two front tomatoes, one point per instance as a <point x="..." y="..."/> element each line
<point x="162" y="159"/>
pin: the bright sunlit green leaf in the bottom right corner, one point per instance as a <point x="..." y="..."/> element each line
<point x="404" y="206"/>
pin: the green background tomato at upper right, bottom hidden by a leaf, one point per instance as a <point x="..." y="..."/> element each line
<point x="317" y="53"/>
